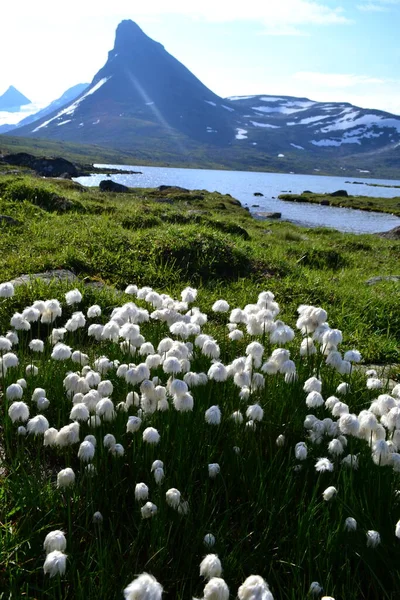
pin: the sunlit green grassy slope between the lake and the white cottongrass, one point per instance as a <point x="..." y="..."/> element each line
<point x="172" y="238"/>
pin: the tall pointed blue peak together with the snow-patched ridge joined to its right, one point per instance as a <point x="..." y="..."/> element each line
<point x="145" y="101"/>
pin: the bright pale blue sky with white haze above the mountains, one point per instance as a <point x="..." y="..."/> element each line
<point x="326" y="50"/>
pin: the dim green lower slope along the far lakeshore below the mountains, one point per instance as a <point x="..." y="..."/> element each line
<point x="155" y="151"/>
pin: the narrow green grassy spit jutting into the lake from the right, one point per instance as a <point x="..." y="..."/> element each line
<point x="386" y="205"/>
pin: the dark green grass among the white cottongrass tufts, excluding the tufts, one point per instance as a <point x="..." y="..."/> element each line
<point x="265" y="508"/>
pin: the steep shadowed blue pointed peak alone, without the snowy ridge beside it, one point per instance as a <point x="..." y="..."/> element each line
<point x="141" y="90"/>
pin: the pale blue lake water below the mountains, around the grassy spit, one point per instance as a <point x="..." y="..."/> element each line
<point x="243" y="184"/>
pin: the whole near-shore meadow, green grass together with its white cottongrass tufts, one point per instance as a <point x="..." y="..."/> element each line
<point x="197" y="395"/>
